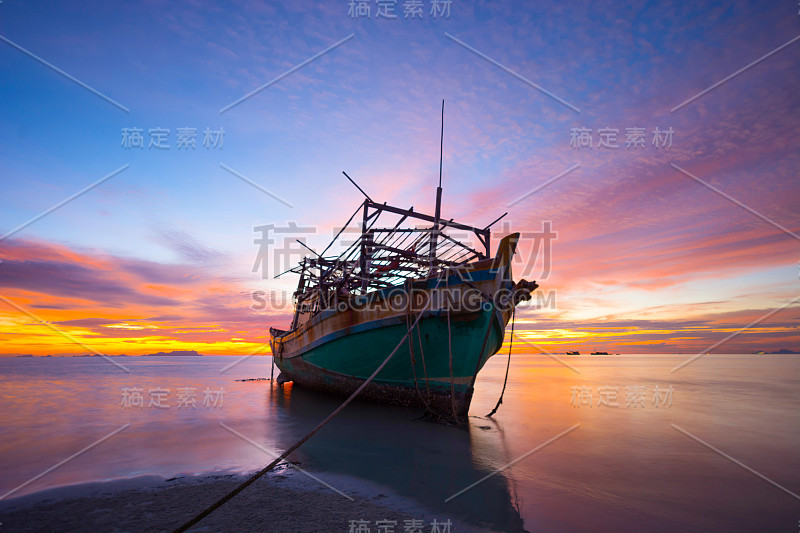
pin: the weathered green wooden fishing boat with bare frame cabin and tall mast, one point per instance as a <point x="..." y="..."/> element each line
<point x="418" y="293"/>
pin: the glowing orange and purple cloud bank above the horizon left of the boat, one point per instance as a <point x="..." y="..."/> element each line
<point x="119" y="305"/>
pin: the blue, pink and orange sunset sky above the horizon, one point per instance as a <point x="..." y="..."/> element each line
<point x="677" y="228"/>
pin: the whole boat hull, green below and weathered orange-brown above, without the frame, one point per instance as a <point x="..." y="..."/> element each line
<point x="337" y="350"/>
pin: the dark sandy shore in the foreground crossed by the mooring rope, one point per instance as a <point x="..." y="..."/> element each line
<point x="283" y="500"/>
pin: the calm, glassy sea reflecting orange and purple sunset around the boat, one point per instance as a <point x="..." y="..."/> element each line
<point x="615" y="443"/>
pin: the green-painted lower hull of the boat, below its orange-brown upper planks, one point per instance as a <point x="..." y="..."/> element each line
<point x="418" y="374"/>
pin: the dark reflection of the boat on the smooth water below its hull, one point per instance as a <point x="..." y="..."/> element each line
<point x="395" y="448"/>
